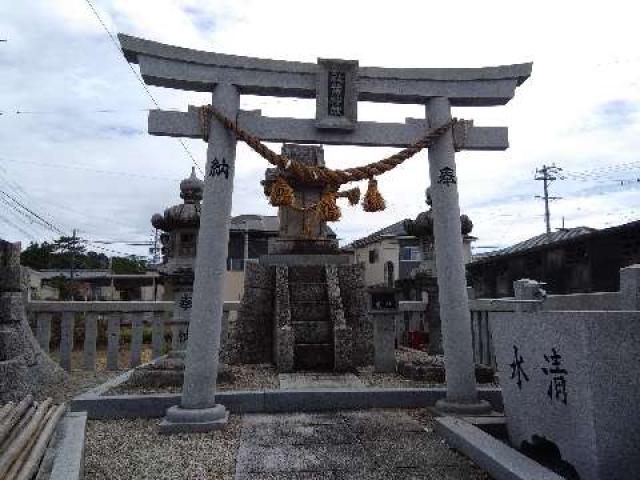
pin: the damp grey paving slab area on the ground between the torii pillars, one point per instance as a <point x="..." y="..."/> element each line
<point x="374" y="444"/>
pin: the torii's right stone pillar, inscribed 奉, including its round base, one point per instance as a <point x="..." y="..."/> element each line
<point x="462" y="394"/>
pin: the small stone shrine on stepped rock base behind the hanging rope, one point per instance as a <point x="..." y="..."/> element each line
<point x="304" y="306"/>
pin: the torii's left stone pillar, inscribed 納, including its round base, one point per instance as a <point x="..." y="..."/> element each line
<point x="198" y="410"/>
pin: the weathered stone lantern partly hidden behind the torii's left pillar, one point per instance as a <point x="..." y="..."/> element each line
<point x="180" y="224"/>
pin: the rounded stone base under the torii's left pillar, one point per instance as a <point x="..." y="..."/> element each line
<point x="183" y="420"/>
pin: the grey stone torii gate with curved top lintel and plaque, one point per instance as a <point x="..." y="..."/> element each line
<point x="337" y="85"/>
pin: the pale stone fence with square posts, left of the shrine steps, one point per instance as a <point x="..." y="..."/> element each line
<point x="133" y="315"/>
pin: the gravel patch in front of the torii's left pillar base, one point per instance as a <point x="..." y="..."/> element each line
<point x="128" y="449"/>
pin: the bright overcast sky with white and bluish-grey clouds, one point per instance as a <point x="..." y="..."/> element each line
<point x="100" y="172"/>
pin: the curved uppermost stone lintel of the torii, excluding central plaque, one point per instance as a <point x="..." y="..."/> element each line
<point x="165" y="65"/>
